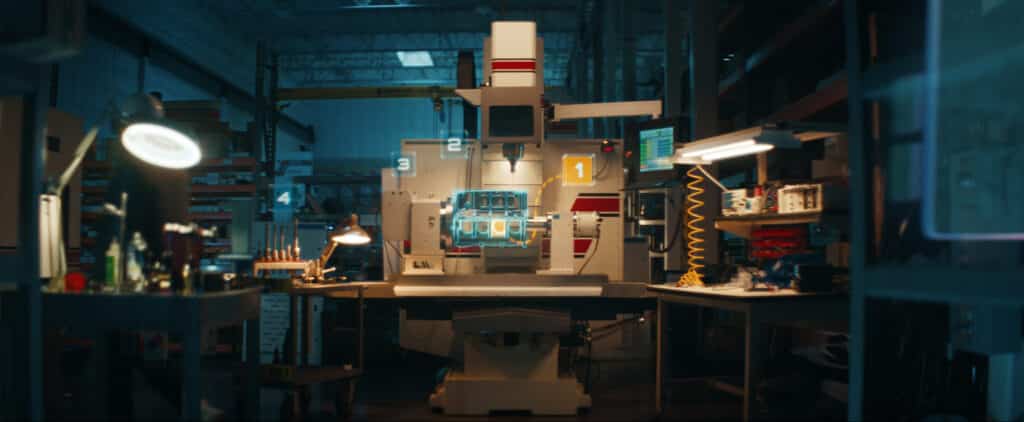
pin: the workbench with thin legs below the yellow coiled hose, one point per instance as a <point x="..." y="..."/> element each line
<point x="758" y="308"/>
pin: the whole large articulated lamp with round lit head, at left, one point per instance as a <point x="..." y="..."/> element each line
<point x="147" y="136"/>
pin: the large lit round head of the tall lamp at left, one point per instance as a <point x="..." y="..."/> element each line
<point x="149" y="137"/>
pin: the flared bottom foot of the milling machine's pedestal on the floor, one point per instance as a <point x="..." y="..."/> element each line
<point x="463" y="395"/>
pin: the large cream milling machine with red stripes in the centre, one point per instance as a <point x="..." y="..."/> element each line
<point x="516" y="235"/>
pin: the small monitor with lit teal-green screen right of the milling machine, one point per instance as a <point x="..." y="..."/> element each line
<point x="650" y="150"/>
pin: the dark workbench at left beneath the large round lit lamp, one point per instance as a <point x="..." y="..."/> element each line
<point x="188" y="315"/>
